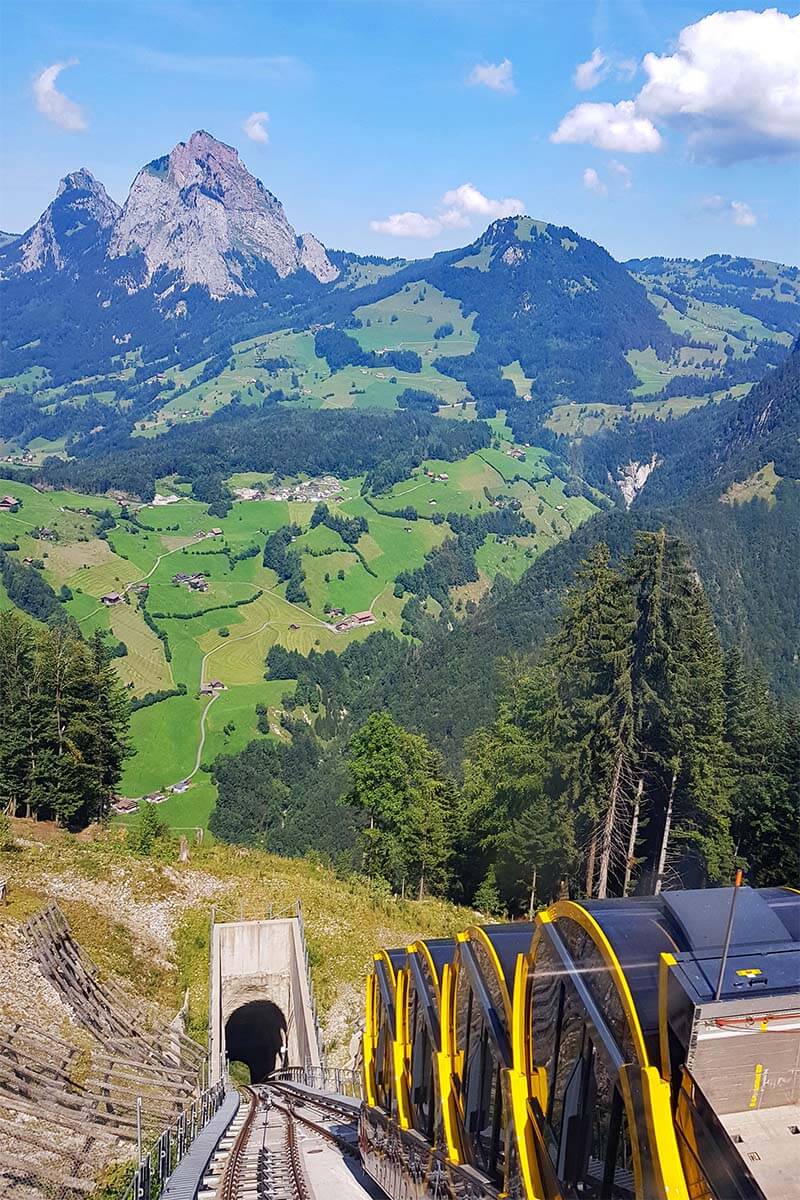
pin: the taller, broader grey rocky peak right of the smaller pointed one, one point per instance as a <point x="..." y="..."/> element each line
<point x="199" y="212"/>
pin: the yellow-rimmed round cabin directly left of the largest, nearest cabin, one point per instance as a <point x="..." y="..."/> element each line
<point x="480" y="1027"/>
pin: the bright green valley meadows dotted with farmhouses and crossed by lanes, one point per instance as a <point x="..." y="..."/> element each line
<point x="226" y="632"/>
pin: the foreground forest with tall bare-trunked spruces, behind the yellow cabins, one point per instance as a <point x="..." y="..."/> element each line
<point x="631" y="754"/>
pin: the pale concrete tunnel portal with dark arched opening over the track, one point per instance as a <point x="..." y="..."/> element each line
<point x="261" y="1006"/>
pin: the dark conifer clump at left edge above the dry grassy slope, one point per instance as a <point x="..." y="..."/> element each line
<point x="65" y="722"/>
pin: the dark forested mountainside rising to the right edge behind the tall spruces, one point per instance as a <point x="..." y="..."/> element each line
<point x="748" y="555"/>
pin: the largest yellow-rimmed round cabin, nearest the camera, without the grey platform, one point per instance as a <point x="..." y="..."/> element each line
<point x="593" y="1090"/>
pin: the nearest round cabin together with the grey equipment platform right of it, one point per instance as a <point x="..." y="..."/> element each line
<point x="641" y="1085"/>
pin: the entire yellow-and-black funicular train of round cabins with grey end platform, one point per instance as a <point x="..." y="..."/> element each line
<point x="639" y="1049"/>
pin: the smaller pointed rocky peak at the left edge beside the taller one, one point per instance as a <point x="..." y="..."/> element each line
<point x="75" y="227"/>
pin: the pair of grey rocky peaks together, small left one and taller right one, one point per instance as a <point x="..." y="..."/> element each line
<point x="195" y="218"/>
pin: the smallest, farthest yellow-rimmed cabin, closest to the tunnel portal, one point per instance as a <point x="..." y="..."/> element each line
<point x="381" y="1031"/>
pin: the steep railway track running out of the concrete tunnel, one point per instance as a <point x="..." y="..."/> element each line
<point x="266" y="1156"/>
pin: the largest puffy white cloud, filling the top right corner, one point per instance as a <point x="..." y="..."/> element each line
<point x="733" y="85"/>
